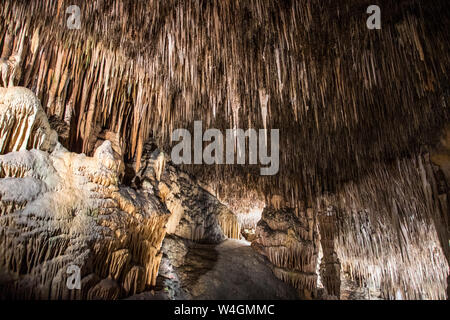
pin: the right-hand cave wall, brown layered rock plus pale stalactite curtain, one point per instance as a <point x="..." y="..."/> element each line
<point x="388" y="231"/>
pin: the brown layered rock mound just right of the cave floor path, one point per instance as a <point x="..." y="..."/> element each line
<point x="288" y="238"/>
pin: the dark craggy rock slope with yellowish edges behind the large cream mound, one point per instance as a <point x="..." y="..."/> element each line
<point x="196" y="214"/>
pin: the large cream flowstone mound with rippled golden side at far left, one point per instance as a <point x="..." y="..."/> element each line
<point x="62" y="212"/>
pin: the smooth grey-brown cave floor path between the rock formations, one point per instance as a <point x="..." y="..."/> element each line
<point x="231" y="270"/>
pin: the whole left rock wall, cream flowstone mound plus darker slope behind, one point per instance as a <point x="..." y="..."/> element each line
<point x="60" y="209"/>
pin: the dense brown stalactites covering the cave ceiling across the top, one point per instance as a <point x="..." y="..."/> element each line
<point x="311" y="69"/>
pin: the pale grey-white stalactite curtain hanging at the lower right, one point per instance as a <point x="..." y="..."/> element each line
<point x="391" y="229"/>
